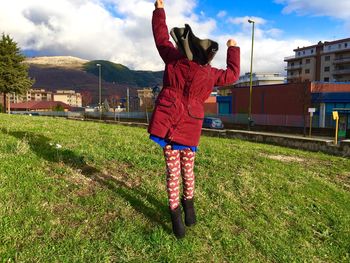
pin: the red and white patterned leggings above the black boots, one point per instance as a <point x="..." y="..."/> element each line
<point x="179" y="162"/>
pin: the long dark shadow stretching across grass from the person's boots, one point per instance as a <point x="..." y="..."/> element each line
<point x="117" y="182"/>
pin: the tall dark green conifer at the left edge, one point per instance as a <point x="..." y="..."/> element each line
<point x="13" y="73"/>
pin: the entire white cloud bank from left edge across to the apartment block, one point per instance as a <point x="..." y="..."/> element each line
<point x="120" y="31"/>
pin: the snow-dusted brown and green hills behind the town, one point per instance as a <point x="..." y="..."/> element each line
<point x="63" y="72"/>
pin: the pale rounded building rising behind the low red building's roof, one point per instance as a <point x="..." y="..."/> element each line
<point x="259" y="79"/>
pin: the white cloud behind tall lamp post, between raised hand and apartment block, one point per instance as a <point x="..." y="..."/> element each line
<point x="269" y="48"/>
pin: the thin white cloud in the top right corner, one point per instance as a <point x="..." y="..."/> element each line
<point x="338" y="9"/>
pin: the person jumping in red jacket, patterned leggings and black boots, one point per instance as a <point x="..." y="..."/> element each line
<point x="177" y="119"/>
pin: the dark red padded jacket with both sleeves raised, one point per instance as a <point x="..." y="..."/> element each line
<point x="179" y="110"/>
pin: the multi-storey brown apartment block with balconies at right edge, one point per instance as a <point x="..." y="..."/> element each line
<point x="325" y="62"/>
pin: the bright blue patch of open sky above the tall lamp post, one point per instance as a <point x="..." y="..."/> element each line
<point x="294" y="24"/>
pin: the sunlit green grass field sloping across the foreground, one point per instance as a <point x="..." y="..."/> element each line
<point x="101" y="198"/>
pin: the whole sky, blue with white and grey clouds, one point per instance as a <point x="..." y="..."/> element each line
<point x="120" y="30"/>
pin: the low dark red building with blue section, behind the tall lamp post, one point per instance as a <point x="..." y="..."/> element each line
<point x="280" y="104"/>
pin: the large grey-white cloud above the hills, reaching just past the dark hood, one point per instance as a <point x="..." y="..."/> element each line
<point x="116" y="30"/>
